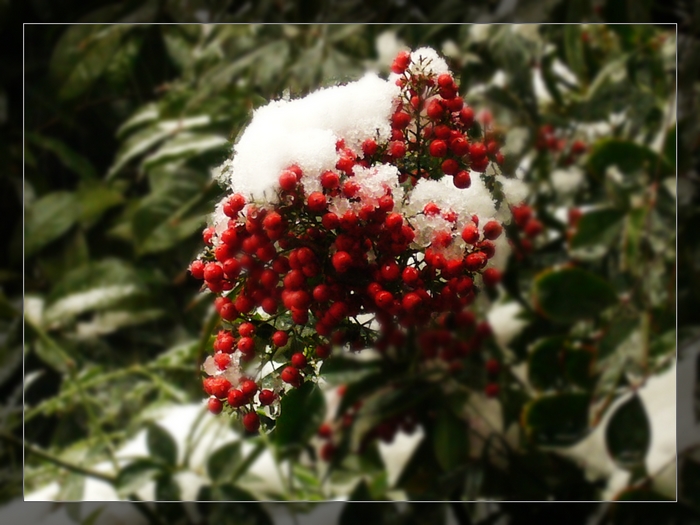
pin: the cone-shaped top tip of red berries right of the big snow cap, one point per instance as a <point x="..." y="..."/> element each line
<point x="434" y="131"/>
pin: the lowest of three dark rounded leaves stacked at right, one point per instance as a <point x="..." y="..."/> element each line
<point x="557" y="420"/>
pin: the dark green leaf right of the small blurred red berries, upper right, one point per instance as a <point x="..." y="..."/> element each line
<point x="627" y="156"/>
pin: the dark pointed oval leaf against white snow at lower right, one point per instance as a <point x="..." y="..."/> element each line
<point x="628" y="434"/>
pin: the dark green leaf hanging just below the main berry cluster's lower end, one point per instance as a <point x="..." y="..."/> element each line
<point x="302" y="411"/>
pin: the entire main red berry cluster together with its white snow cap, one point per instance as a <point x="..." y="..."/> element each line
<point x="370" y="198"/>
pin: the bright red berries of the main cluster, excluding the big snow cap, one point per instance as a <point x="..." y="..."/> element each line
<point x="292" y="277"/>
